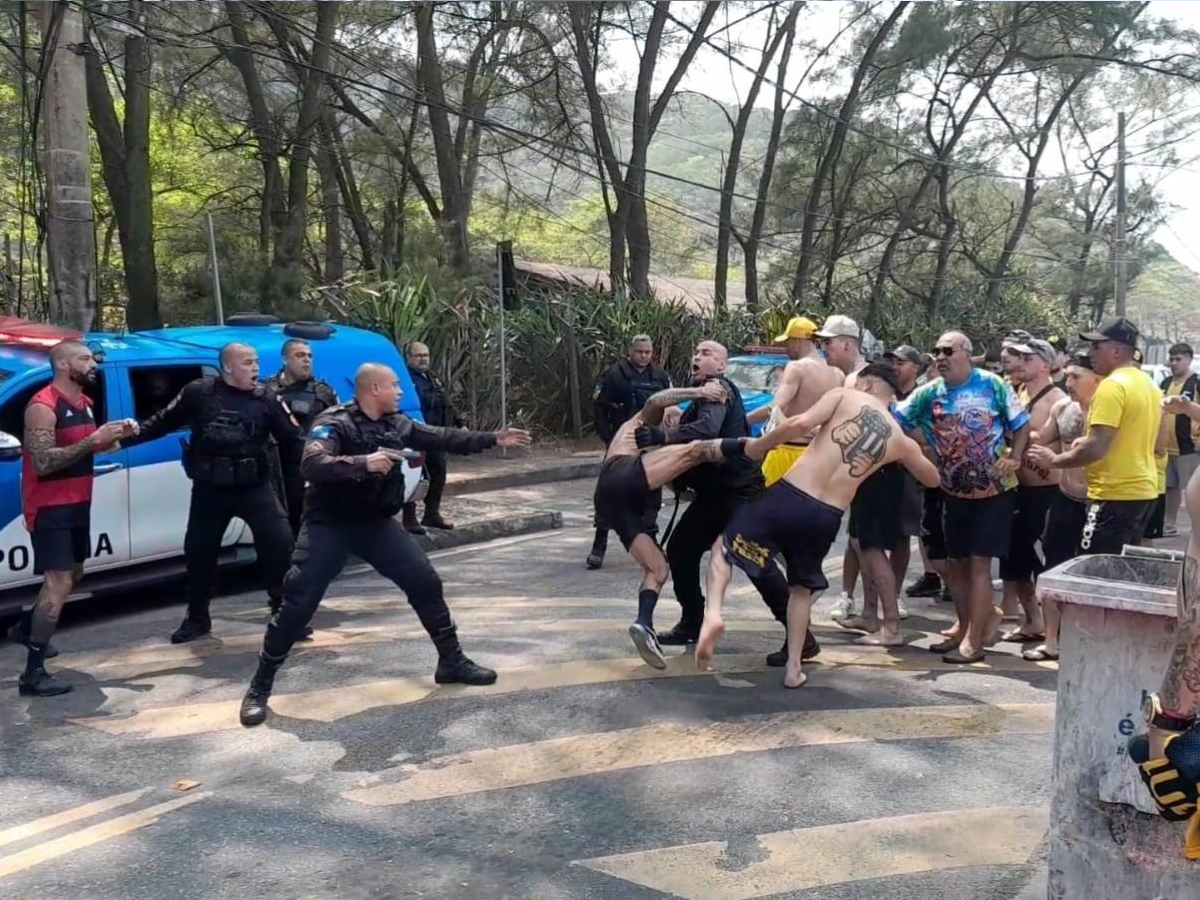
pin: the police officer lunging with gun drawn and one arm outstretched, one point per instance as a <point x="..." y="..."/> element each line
<point x="353" y="467"/>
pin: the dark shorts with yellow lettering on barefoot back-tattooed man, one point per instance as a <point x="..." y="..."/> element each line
<point x="784" y="523"/>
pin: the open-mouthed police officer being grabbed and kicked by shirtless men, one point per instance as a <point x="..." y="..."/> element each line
<point x="719" y="489"/>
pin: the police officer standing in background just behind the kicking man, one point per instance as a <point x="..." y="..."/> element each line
<point x="620" y="395"/>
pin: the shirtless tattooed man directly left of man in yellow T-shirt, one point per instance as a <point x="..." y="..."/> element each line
<point x="1069" y="511"/>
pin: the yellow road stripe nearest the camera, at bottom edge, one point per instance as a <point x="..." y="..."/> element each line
<point x="807" y="859"/>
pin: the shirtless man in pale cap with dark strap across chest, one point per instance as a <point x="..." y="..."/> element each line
<point x="1036" y="490"/>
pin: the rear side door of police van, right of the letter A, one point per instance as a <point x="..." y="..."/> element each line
<point x="159" y="491"/>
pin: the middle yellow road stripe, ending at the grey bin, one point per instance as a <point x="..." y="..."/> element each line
<point x="577" y="757"/>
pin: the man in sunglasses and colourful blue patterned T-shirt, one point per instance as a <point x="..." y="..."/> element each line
<point x="967" y="416"/>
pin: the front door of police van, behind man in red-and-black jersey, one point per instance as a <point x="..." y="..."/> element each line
<point x="110" y="505"/>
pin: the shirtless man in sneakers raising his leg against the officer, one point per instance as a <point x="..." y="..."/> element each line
<point x="627" y="479"/>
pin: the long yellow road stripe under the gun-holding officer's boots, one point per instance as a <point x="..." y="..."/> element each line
<point x="335" y="704"/>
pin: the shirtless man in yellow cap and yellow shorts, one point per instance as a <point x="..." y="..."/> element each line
<point x="806" y="380"/>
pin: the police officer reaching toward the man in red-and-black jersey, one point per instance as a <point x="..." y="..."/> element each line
<point x="229" y="459"/>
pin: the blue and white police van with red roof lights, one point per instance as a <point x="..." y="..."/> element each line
<point x="141" y="497"/>
